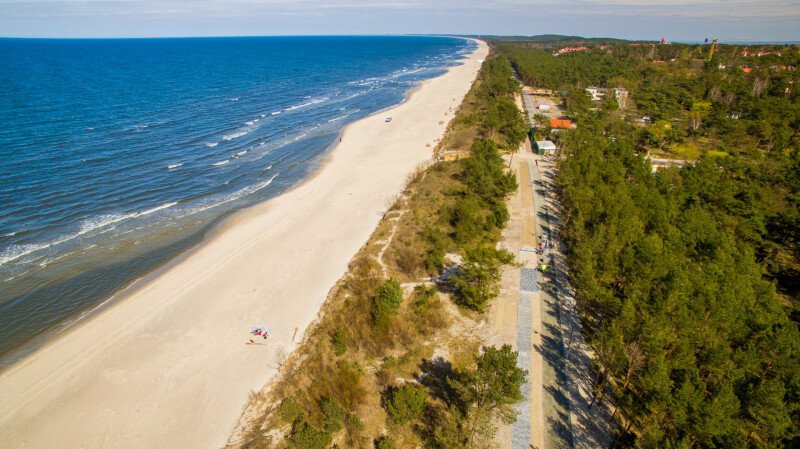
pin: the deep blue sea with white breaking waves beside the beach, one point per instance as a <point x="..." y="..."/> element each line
<point x="119" y="154"/>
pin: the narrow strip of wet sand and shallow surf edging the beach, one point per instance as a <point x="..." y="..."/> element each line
<point x="213" y="229"/>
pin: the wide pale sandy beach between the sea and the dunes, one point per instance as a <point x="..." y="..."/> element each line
<point x="167" y="366"/>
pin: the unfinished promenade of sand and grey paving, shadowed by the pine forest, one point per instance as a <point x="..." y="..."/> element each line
<point x="555" y="413"/>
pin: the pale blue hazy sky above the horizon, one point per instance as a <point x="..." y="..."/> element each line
<point x="637" y="19"/>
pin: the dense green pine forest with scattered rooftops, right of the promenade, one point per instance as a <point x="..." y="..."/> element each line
<point x="687" y="279"/>
